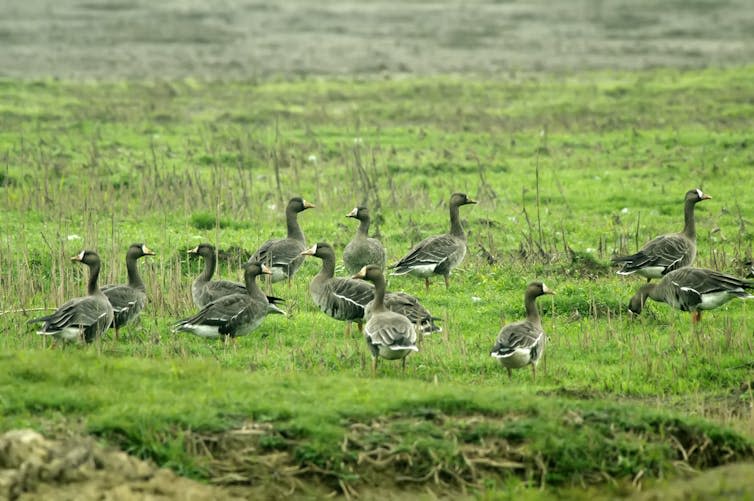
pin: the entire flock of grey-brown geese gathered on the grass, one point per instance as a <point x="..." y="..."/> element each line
<point x="392" y="321"/>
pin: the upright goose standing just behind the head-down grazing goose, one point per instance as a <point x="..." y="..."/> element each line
<point x="668" y="252"/>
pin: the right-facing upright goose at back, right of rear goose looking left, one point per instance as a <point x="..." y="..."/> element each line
<point x="439" y="254"/>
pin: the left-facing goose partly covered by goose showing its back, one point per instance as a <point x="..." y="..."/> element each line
<point x="340" y="298"/>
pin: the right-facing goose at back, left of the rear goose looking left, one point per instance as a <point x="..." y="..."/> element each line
<point x="283" y="256"/>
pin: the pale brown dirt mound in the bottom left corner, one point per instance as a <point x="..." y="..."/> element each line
<point x="33" y="467"/>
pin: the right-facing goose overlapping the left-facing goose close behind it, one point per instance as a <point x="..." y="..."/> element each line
<point x="234" y="315"/>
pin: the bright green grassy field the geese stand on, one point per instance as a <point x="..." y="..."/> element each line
<point x="568" y="170"/>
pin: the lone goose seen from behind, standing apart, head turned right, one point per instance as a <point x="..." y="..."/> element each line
<point x="522" y="343"/>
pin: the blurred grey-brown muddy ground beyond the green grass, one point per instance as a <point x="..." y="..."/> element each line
<point x="249" y="39"/>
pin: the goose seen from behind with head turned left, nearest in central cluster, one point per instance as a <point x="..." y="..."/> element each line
<point x="389" y="335"/>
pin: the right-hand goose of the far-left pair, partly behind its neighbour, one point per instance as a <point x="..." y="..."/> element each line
<point x="128" y="300"/>
